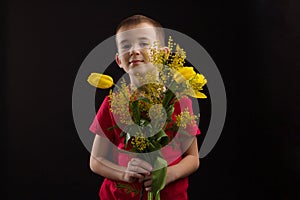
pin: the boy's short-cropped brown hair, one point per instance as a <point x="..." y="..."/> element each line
<point x="138" y="19"/>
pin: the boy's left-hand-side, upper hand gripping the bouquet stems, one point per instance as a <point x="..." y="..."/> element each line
<point x="137" y="169"/>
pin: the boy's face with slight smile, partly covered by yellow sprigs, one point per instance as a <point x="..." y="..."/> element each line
<point x="133" y="45"/>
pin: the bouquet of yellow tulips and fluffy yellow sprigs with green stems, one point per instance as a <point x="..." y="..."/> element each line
<point x="151" y="106"/>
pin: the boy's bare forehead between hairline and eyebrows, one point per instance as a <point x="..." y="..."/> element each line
<point x="140" y="31"/>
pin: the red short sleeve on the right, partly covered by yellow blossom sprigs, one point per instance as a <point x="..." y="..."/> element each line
<point x="181" y="105"/>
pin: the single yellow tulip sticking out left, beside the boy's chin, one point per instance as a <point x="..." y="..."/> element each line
<point x="100" y="80"/>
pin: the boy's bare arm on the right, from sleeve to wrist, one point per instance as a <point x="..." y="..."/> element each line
<point x="189" y="164"/>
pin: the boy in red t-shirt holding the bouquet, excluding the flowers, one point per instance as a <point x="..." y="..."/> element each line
<point x="125" y="176"/>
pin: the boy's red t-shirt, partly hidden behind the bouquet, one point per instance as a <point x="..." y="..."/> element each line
<point x="113" y="190"/>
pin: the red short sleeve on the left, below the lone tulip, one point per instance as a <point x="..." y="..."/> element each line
<point x="103" y="121"/>
